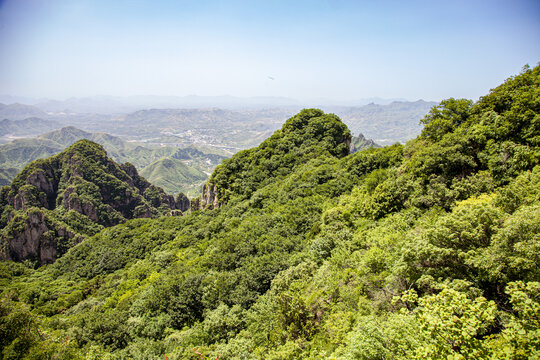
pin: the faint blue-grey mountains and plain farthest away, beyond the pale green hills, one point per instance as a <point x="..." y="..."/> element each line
<point x="203" y="121"/>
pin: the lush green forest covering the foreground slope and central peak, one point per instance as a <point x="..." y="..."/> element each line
<point x="428" y="250"/>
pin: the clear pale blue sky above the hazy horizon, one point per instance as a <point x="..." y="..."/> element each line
<point x="332" y="49"/>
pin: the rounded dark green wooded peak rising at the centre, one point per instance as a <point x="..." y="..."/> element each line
<point x="309" y="134"/>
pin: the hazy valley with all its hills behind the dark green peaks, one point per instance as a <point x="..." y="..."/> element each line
<point x="150" y="136"/>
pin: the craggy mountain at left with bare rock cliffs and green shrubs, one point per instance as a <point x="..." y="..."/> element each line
<point x="54" y="203"/>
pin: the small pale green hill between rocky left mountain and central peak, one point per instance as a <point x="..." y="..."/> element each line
<point x="174" y="176"/>
